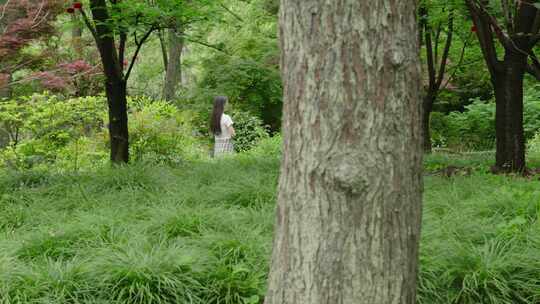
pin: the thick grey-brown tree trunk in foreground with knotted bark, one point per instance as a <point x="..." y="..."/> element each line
<point x="349" y="203"/>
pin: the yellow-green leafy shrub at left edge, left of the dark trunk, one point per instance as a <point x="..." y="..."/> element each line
<point x="41" y="125"/>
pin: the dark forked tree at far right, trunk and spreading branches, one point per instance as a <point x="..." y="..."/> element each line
<point x="516" y="27"/>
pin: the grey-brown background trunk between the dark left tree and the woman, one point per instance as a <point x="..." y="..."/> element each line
<point x="173" y="76"/>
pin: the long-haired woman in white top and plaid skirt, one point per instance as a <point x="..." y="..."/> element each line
<point x="221" y="126"/>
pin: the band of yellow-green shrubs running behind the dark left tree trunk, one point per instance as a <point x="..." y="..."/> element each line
<point x="70" y="133"/>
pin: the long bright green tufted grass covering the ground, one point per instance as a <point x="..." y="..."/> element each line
<point x="201" y="233"/>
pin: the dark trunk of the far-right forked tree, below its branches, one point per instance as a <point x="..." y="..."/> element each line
<point x="508" y="83"/>
